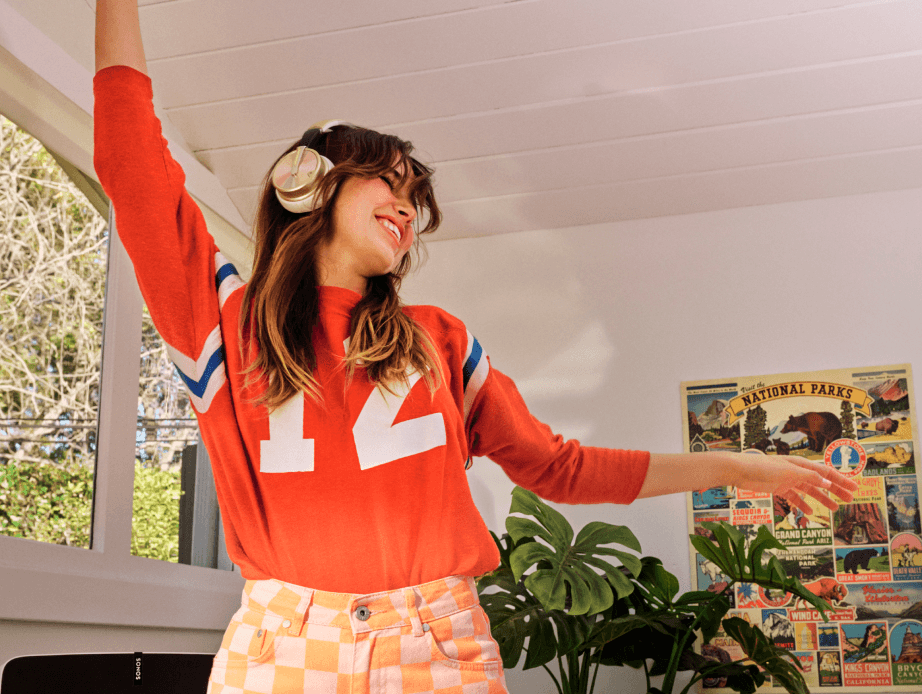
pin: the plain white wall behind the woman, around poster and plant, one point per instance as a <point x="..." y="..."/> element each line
<point x="599" y="325"/>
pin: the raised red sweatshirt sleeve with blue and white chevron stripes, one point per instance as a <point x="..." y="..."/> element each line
<point x="182" y="276"/>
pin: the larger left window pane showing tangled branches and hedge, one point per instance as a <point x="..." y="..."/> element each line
<point x="53" y="258"/>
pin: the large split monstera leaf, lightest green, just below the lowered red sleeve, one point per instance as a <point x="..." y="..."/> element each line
<point x="565" y="578"/>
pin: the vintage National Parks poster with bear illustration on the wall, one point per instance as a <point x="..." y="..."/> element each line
<point x="865" y="559"/>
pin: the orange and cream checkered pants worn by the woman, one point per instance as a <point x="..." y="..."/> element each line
<point x="428" y="639"/>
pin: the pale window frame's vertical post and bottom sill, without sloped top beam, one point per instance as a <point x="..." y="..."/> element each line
<point x="106" y="584"/>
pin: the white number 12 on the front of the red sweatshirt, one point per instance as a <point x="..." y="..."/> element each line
<point x="377" y="439"/>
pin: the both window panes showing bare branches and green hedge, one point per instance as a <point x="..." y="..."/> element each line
<point x="53" y="252"/>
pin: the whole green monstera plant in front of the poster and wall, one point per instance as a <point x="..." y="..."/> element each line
<point x="561" y="599"/>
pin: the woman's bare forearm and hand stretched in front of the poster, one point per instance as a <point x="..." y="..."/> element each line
<point x="787" y="476"/>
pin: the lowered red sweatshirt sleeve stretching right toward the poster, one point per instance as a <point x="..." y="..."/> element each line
<point x="501" y="428"/>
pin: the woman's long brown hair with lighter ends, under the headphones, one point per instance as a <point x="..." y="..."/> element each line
<point x="281" y="303"/>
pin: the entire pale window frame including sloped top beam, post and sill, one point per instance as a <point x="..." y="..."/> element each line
<point x="46" y="92"/>
